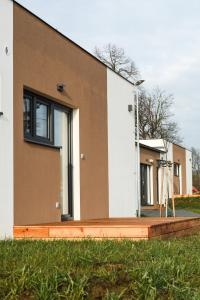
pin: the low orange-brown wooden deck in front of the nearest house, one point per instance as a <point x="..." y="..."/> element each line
<point x="123" y="228"/>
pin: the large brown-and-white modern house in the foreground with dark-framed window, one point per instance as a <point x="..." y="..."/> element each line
<point x="67" y="148"/>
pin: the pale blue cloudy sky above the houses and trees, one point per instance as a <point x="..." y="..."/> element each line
<point x="161" y="36"/>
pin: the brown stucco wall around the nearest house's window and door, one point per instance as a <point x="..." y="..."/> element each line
<point x="43" y="58"/>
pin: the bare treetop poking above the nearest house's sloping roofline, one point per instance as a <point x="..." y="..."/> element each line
<point x="115" y="58"/>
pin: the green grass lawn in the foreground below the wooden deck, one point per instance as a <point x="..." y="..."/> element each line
<point x="100" y="270"/>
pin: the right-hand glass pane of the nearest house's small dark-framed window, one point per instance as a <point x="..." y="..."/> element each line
<point x="42" y="120"/>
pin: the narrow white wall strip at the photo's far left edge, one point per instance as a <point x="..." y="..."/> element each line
<point x="6" y="121"/>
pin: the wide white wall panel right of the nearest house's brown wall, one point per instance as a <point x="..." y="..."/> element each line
<point x="121" y="147"/>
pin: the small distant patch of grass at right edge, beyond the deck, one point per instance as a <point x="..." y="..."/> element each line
<point x="191" y="204"/>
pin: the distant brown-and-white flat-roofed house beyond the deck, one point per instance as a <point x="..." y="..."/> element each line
<point x="156" y="178"/>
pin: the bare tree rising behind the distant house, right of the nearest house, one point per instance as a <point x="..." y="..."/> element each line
<point x="156" y="117"/>
